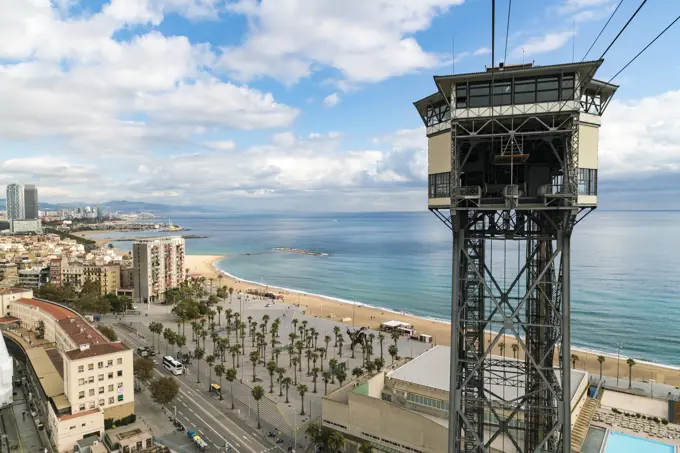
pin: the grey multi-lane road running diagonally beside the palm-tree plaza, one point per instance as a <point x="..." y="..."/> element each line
<point x="205" y="415"/>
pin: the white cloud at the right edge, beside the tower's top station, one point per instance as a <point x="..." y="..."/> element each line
<point x="641" y="137"/>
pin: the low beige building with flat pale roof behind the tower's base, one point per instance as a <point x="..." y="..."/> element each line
<point x="405" y="408"/>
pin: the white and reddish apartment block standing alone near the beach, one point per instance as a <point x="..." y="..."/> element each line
<point x="158" y="266"/>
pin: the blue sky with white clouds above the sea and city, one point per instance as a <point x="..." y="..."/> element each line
<point x="302" y="105"/>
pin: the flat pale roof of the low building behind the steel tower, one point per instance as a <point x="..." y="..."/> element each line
<point x="432" y="369"/>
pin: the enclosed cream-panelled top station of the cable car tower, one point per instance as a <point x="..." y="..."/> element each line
<point x="523" y="137"/>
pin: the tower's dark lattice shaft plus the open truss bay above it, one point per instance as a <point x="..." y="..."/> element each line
<point x="523" y="403"/>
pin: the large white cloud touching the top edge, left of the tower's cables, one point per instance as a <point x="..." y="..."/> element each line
<point x="367" y="41"/>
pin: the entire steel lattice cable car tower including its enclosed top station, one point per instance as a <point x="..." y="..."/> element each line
<point x="512" y="168"/>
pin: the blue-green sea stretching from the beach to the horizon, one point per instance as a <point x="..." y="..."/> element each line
<point x="625" y="267"/>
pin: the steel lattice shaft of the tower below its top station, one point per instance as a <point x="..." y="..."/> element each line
<point x="526" y="401"/>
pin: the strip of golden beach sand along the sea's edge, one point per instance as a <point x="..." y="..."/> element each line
<point x="440" y="331"/>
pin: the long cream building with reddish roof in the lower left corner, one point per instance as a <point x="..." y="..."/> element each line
<point x="83" y="378"/>
